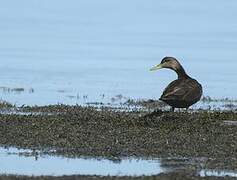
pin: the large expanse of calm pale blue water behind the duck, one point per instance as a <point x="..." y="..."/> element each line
<point x="71" y="52"/>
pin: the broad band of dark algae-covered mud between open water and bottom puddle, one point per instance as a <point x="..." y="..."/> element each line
<point x="77" y="130"/>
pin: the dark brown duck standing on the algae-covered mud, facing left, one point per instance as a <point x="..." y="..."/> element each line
<point x="182" y="92"/>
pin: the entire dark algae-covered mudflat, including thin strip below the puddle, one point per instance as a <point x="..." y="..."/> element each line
<point x="187" y="143"/>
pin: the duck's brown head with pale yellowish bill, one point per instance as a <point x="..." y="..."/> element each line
<point x="168" y="62"/>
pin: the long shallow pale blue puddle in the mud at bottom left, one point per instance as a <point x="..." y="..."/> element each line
<point x="22" y="162"/>
